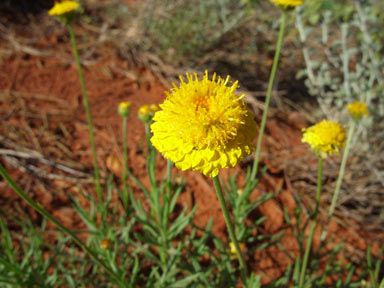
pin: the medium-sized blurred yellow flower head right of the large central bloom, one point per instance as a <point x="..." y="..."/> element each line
<point x="325" y="138"/>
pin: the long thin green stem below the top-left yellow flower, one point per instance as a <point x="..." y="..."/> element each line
<point x="87" y="111"/>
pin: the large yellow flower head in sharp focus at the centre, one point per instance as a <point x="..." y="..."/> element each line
<point x="203" y="125"/>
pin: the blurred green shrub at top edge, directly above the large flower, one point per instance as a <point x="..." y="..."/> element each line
<point x="185" y="29"/>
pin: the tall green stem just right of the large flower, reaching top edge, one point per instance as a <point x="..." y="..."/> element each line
<point x="268" y="96"/>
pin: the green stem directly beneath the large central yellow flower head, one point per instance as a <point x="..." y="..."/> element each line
<point x="231" y="231"/>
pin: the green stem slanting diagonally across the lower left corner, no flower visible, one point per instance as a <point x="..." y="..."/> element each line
<point x="47" y="215"/>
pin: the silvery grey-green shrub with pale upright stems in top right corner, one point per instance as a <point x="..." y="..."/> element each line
<point x="342" y="47"/>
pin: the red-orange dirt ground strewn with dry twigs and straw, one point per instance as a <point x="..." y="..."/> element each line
<point x="42" y="115"/>
